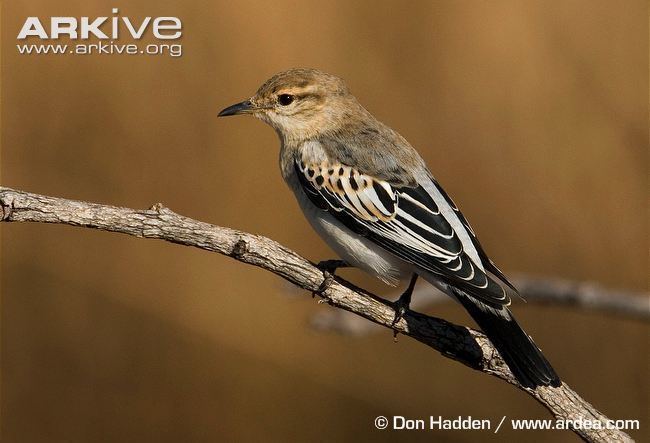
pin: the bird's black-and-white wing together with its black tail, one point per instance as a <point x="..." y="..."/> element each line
<point x="421" y="225"/>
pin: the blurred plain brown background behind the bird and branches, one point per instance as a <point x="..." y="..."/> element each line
<point x="532" y="114"/>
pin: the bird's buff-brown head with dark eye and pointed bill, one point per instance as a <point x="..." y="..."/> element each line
<point x="299" y="103"/>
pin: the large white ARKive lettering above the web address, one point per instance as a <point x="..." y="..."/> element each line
<point x="164" y="28"/>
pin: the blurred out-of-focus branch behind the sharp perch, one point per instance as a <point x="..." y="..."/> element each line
<point x="583" y="295"/>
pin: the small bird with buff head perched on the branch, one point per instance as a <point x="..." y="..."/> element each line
<point x="370" y="196"/>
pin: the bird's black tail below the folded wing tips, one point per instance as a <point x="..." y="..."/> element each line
<point x="518" y="350"/>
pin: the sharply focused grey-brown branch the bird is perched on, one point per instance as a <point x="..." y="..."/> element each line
<point x="463" y="344"/>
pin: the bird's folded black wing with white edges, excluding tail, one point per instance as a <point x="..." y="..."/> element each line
<point x="404" y="220"/>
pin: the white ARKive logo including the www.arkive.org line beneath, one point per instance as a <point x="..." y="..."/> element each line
<point x="105" y="31"/>
